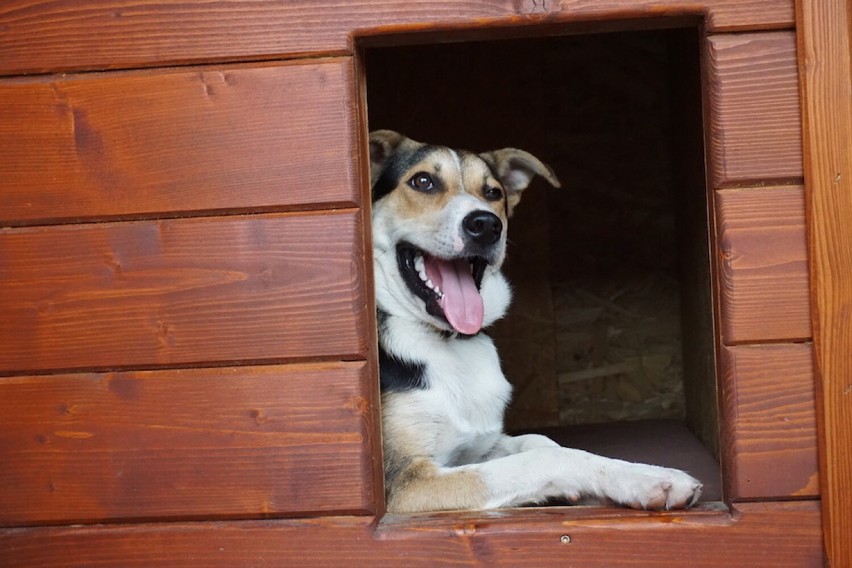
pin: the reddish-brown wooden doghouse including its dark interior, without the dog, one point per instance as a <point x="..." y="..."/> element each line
<point x="188" y="368"/>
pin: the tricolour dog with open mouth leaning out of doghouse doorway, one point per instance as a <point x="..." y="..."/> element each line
<point x="439" y="221"/>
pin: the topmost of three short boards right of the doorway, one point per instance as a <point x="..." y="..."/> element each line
<point x="755" y="128"/>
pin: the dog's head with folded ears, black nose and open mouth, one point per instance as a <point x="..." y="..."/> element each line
<point x="439" y="228"/>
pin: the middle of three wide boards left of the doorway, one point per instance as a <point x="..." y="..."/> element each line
<point x="182" y="291"/>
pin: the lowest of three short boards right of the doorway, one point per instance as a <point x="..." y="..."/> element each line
<point x="769" y="430"/>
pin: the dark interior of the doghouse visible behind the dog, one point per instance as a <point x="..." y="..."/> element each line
<point x="609" y="343"/>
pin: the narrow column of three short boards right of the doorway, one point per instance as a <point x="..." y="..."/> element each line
<point x="765" y="351"/>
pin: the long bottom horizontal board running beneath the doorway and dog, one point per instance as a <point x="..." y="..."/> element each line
<point x="757" y="534"/>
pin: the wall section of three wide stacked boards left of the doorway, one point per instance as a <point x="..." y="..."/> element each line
<point x="186" y="330"/>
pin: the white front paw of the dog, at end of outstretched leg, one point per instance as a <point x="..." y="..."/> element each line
<point x="652" y="487"/>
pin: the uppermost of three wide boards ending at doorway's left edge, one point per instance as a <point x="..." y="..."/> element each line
<point x="171" y="142"/>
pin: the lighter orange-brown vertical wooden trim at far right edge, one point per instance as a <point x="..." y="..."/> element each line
<point x="824" y="61"/>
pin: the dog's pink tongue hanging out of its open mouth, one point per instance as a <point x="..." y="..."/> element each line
<point x="461" y="303"/>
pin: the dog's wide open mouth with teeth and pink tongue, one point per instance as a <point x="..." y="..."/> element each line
<point x="449" y="287"/>
